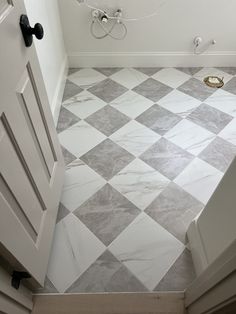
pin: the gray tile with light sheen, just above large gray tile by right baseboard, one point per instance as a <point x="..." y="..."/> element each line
<point x="167" y="158"/>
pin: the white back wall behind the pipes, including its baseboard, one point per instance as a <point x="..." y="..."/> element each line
<point x="164" y="38"/>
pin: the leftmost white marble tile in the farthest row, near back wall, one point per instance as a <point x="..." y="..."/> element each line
<point x="86" y="78"/>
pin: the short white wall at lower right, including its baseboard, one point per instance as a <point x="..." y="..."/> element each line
<point x="215" y="228"/>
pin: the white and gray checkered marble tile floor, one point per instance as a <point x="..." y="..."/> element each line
<point x="144" y="149"/>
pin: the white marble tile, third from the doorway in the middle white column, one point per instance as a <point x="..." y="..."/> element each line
<point x="135" y="137"/>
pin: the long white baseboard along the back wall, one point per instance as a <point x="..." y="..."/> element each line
<point x="151" y="59"/>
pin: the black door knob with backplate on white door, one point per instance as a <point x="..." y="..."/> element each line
<point x="28" y="31"/>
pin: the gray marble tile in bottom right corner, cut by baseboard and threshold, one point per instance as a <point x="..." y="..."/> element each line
<point x="180" y="275"/>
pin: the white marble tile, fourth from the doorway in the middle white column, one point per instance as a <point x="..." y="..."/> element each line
<point x="131" y="104"/>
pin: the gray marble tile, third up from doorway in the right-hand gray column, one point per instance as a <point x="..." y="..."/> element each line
<point x="158" y="119"/>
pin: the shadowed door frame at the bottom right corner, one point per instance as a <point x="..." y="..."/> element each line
<point x="215" y="287"/>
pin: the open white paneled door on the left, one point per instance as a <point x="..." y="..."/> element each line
<point x="31" y="163"/>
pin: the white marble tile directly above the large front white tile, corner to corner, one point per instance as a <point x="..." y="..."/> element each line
<point x="140" y="183"/>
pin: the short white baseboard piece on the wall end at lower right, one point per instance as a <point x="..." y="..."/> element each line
<point x="197" y="248"/>
